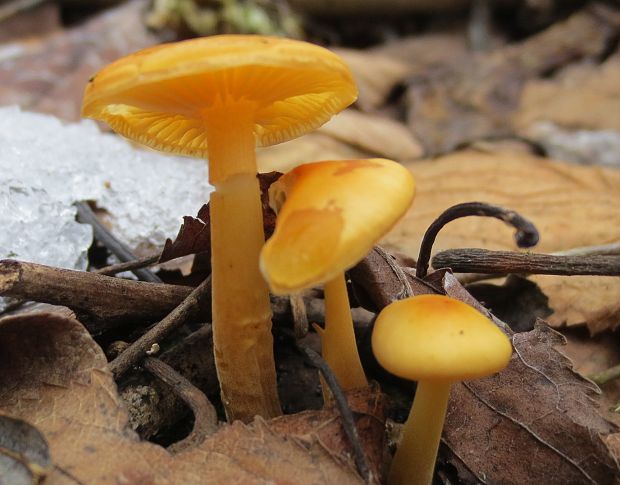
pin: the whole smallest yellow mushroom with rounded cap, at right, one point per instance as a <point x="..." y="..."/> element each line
<point x="435" y="340"/>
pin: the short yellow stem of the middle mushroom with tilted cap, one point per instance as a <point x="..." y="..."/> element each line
<point x="338" y="344"/>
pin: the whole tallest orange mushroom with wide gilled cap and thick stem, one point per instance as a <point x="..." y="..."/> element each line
<point x="218" y="97"/>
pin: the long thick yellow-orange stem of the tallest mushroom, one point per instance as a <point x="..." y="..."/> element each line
<point x="242" y="340"/>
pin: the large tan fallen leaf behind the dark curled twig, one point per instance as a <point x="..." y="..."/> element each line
<point x="572" y="206"/>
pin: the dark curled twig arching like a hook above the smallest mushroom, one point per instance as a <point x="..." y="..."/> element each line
<point x="526" y="235"/>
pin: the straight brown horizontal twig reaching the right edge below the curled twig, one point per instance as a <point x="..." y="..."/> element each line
<point x="473" y="260"/>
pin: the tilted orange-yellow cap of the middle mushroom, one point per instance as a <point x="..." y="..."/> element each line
<point x="330" y="215"/>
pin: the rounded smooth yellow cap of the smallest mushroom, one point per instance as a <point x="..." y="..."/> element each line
<point x="435" y="337"/>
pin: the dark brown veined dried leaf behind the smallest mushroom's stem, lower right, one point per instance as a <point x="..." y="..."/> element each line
<point x="535" y="422"/>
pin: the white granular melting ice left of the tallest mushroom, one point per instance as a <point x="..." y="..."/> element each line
<point x="46" y="165"/>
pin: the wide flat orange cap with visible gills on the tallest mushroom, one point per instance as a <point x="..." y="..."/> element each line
<point x="160" y="95"/>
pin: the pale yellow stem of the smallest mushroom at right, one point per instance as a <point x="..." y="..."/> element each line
<point x="414" y="461"/>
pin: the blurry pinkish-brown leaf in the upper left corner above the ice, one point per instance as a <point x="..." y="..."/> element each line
<point x="49" y="74"/>
